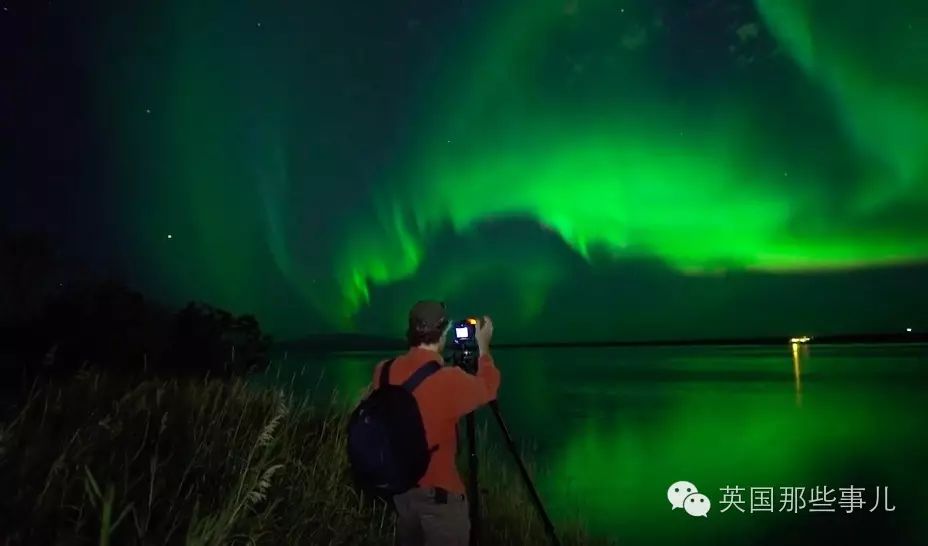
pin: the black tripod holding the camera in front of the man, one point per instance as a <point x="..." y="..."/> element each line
<point x="466" y="358"/>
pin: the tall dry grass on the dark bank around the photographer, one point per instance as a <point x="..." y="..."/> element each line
<point x="101" y="460"/>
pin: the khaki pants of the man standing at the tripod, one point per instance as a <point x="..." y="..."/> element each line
<point x="420" y="521"/>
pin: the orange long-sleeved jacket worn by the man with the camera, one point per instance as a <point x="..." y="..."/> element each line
<point x="443" y="399"/>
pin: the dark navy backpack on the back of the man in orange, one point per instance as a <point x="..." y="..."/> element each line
<point x="387" y="447"/>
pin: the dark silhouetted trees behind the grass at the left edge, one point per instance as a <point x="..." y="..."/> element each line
<point x="54" y="320"/>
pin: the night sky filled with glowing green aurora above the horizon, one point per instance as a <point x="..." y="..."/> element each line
<point x="579" y="169"/>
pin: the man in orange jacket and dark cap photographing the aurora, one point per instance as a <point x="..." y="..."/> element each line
<point x="435" y="513"/>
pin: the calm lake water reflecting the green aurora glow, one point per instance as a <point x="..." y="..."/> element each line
<point x="610" y="429"/>
